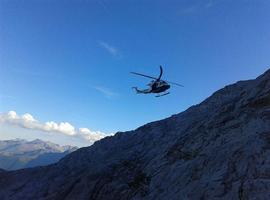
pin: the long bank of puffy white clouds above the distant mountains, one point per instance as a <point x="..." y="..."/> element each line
<point x="27" y="121"/>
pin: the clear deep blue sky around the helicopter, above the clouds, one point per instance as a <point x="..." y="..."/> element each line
<point x="69" y="61"/>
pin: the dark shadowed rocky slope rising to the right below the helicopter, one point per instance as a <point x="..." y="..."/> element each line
<point x="218" y="149"/>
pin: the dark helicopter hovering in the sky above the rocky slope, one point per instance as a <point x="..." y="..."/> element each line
<point x="157" y="85"/>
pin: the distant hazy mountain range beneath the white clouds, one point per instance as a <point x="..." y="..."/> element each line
<point x="17" y="154"/>
